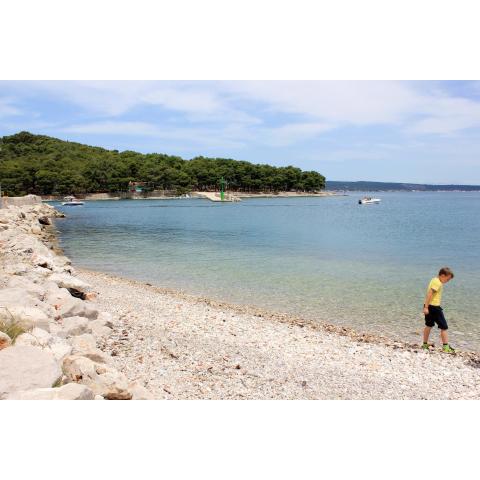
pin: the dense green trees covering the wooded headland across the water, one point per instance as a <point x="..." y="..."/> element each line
<point x="44" y="165"/>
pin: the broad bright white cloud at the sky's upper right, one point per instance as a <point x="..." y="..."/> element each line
<point x="405" y="105"/>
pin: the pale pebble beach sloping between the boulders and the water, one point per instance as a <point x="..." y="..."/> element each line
<point x="183" y="347"/>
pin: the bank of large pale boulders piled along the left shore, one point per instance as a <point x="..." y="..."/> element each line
<point x="50" y="323"/>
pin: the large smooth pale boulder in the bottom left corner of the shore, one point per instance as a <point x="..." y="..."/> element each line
<point x="27" y="368"/>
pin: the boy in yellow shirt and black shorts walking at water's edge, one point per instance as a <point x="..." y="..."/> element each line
<point x="433" y="311"/>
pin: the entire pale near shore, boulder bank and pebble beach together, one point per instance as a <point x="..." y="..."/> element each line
<point x="93" y="335"/>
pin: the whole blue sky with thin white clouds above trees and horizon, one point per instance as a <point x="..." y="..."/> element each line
<point x="395" y="131"/>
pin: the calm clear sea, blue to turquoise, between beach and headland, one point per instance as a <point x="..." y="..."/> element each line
<point x="324" y="258"/>
